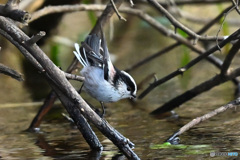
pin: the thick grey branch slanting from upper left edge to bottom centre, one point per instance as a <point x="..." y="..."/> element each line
<point x="61" y="86"/>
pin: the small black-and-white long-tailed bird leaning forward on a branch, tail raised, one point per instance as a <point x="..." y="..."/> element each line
<point x="103" y="81"/>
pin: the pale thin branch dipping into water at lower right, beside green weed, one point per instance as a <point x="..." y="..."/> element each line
<point x="196" y="121"/>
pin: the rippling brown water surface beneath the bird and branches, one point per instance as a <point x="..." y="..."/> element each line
<point x="59" y="140"/>
